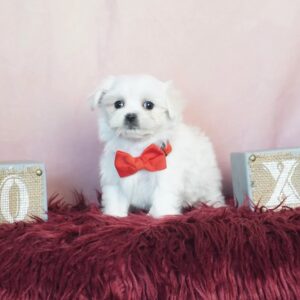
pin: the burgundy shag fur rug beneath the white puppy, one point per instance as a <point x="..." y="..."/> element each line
<point x="207" y="253"/>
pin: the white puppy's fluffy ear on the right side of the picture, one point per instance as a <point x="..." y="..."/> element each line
<point x="175" y="102"/>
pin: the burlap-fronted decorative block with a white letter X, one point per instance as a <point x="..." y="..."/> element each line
<point x="267" y="178"/>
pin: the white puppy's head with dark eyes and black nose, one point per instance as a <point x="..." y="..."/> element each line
<point x="139" y="106"/>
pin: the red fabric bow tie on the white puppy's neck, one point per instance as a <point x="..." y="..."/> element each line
<point x="152" y="159"/>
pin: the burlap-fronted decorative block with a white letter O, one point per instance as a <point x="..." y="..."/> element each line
<point x="22" y="191"/>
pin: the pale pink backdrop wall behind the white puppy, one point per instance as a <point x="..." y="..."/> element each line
<point x="237" y="63"/>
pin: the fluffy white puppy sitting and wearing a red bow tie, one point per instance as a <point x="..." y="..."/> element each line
<point x="139" y="111"/>
